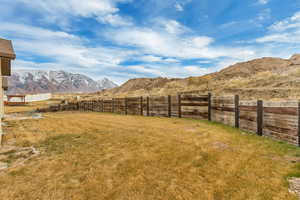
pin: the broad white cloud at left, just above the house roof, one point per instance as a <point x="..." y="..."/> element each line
<point x="61" y="47"/>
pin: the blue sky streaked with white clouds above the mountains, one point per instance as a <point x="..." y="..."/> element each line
<point x="125" y="39"/>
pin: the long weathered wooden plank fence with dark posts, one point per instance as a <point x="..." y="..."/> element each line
<point x="279" y="120"/>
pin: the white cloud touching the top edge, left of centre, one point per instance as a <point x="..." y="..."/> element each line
<point x="105" y="11"/>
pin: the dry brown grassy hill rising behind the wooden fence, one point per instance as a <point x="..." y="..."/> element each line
<point x="267" y="78"/>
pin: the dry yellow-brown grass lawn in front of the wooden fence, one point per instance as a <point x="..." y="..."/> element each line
<point x="94" y="156"/>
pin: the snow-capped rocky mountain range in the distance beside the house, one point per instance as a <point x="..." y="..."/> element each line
<point x="37" y="81"/>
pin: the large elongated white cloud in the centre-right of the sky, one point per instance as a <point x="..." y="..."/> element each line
<point x="164" y="44"/>
